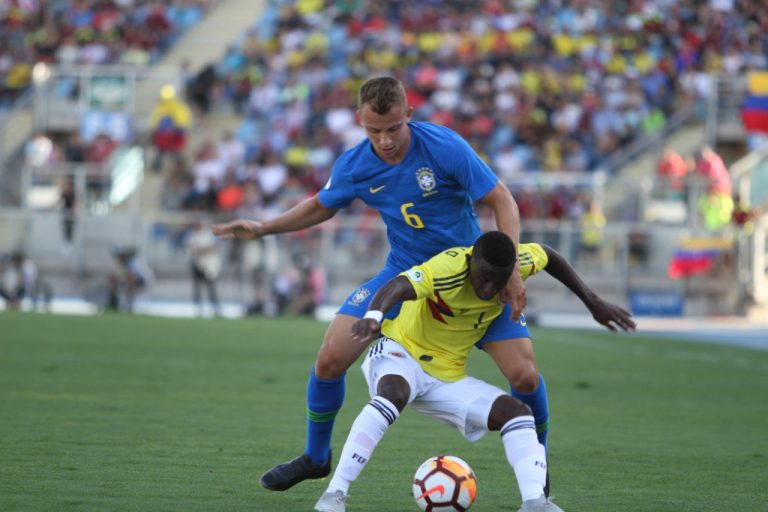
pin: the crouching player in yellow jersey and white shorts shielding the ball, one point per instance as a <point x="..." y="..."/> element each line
<point x="448" y="304"/>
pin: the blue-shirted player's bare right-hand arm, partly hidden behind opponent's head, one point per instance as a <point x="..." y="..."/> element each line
<point x="507" y="218"/>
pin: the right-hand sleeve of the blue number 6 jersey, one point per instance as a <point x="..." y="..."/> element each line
<point x="468" y="169"/>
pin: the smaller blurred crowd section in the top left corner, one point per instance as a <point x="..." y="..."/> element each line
<point x="86" y="32"/>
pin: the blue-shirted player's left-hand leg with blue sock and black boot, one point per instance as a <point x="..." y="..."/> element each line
<point x="325" y="396"/>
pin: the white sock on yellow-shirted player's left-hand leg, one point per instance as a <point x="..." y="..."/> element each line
<point x="366" y="432"/>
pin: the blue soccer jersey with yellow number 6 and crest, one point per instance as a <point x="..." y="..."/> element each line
<point x="425" y="200"/>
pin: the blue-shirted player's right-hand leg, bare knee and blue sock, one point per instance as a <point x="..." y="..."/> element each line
<point x="516" y="360"/>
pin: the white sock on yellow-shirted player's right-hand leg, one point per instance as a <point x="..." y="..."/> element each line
<point x="526" y="456"/>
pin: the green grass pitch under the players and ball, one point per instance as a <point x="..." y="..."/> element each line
<point x="129" y="413"/>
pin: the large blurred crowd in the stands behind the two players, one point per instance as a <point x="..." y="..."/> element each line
<point x="534" y="86"/>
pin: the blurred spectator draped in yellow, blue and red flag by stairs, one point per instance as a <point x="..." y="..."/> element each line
<point x="171" y="120"/>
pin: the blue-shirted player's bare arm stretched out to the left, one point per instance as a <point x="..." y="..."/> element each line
<point x="308" y="213"/>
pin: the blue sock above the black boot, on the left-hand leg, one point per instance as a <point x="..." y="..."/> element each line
<point x="324" y="399"/>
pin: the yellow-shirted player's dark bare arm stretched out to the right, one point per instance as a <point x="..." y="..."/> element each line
<point x="605" y="313"/>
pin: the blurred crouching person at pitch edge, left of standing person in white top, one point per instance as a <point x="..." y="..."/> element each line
<point x="131" y="277"/>
